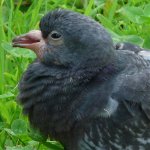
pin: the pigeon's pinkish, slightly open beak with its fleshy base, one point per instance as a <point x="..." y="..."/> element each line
<point x="32" y="40"/>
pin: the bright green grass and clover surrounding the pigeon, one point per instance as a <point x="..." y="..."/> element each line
<point x="126" y="20"/>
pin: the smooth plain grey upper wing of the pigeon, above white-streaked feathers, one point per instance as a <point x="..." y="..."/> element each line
<point x="134" y="89"/>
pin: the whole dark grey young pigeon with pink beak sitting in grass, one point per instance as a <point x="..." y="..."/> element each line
<point x="80" y="90"/>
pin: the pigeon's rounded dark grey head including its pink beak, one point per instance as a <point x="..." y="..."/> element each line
<point x="68" y="38"/>
